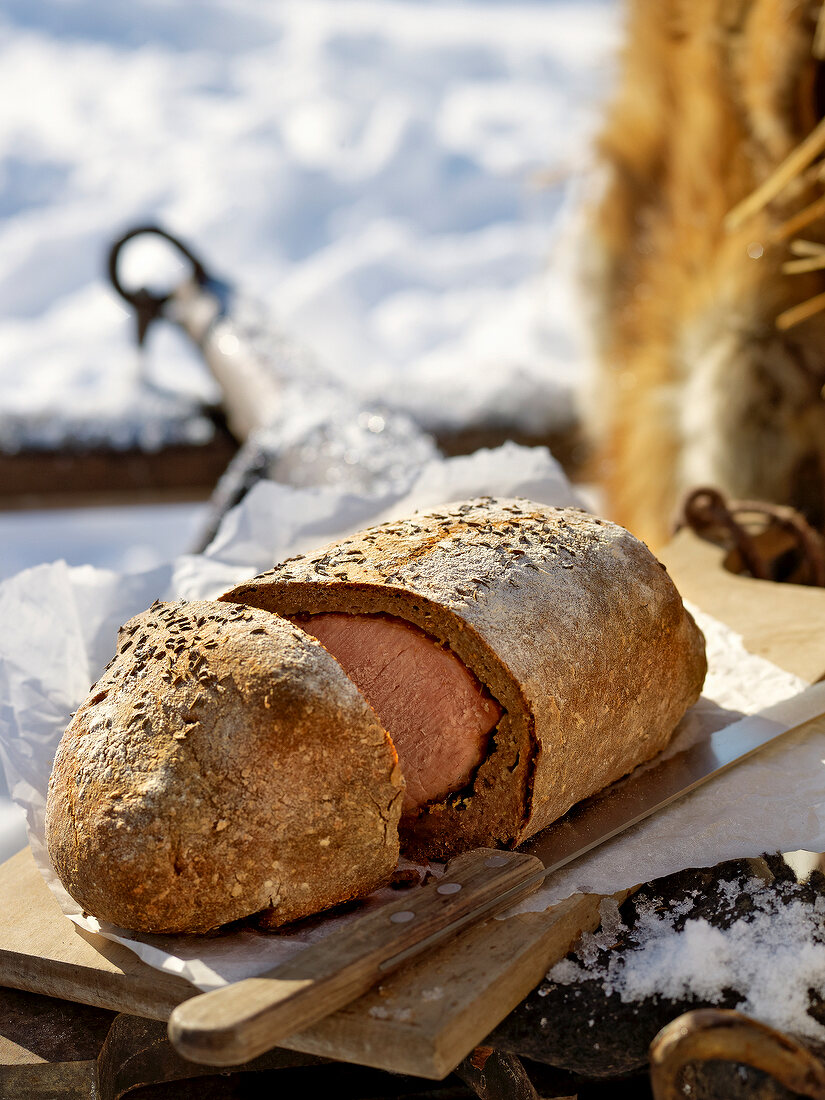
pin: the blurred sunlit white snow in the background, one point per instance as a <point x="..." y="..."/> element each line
<point x="395" y="180"/>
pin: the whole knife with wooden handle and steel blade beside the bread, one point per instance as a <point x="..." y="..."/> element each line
<point x="241" y="1021"/>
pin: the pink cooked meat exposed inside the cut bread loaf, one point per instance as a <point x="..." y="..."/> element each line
<point x="436" y="711"/>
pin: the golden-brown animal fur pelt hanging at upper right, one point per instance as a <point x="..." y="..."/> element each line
<point x="697" y="383"/>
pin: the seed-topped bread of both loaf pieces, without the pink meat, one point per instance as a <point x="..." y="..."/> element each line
<point x="225" y="765"/>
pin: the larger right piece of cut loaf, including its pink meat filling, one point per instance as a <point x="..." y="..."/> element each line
<point x="522" y="657"/>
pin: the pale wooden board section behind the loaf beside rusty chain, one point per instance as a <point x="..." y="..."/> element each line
<point x="778" y="622"/>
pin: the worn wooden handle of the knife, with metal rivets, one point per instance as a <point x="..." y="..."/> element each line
<point x="236" y="1024"/>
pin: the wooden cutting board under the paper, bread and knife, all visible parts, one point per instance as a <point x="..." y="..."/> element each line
<point x="425" y="1019"/>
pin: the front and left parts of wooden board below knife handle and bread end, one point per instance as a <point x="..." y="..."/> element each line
<point x="422" y="1021"/>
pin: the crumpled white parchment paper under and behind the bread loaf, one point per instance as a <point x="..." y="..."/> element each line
<point x="63" y="624"/>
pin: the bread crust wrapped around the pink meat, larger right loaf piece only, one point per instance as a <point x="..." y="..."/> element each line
<point x="569" y="621"/>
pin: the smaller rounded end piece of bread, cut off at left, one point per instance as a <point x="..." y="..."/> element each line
<point x="224" y="765"/>
